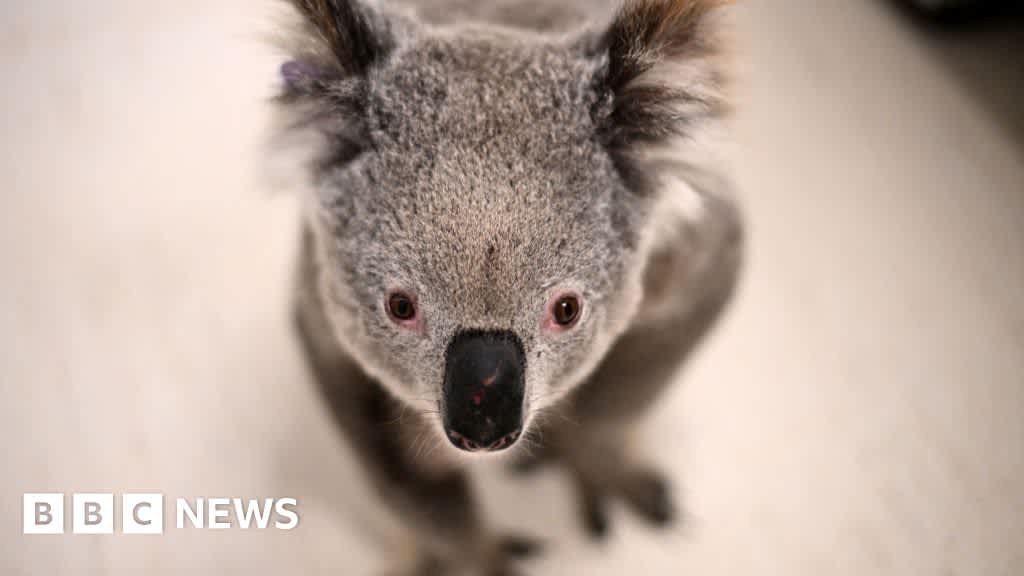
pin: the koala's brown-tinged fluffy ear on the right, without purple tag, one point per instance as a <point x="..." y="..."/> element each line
<point x="662" y="76"/>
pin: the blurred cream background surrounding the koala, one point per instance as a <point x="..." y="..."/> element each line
<point x="860" y="412"/>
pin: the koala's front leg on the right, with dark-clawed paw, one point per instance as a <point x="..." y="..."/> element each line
<point x="688" y="284"/>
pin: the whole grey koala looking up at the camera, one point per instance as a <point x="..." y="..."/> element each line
<point x="519" y="224"/>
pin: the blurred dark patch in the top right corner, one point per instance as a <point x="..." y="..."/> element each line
<point x="982" y="44"/>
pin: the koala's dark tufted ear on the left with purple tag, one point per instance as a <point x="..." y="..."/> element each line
<point x="340" y="39"/>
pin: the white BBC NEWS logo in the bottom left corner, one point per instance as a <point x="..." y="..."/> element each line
<point x="144" y="514"/>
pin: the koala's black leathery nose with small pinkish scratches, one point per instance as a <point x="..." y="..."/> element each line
<point x="484" y="391"/>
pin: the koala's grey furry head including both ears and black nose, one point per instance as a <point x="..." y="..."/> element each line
<point x="481" y="207"/>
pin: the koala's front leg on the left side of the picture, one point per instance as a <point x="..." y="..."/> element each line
<point x="432" y="498"/>
